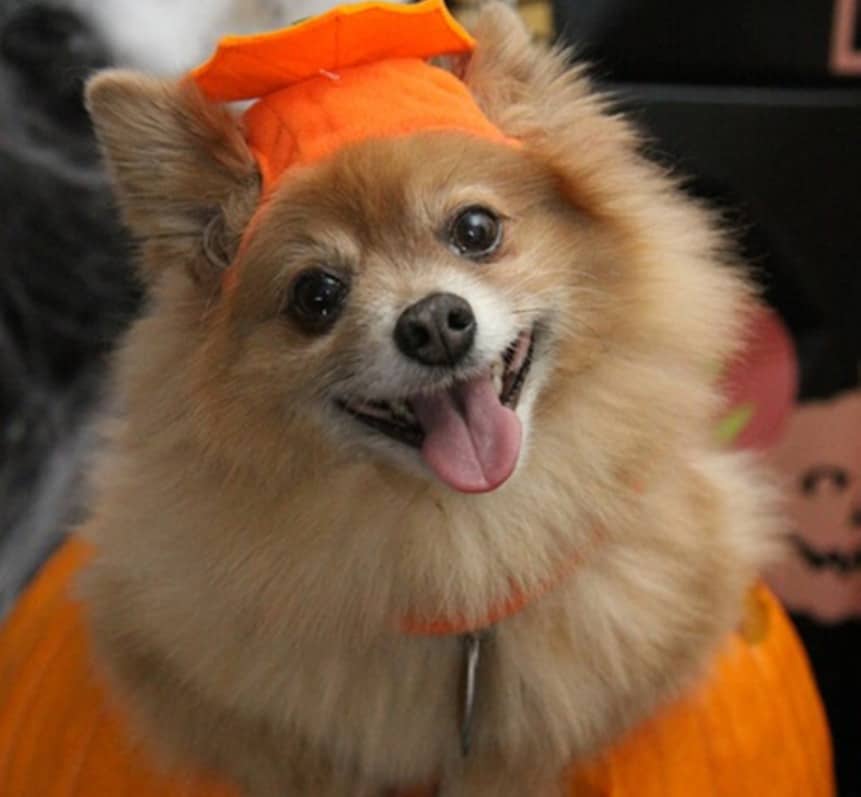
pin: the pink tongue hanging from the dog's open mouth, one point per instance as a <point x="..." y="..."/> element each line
<point x="471" y="441"/>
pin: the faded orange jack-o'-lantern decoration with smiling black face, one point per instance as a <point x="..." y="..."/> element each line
<point x="819" y="456"/>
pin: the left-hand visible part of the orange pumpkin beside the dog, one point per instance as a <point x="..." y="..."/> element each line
<point x="59" y="737"/>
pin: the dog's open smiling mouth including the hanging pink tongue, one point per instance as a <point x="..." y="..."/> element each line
<point x="468" y="433"/>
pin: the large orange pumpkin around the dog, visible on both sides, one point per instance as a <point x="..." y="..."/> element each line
<point x="755" y="727"/>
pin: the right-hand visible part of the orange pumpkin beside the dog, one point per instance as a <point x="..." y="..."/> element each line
<point x="756" y="727"/>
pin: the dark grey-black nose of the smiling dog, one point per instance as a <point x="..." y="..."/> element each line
<point x="438" y="330"/>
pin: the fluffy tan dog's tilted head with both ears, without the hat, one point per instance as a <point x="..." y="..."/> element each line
<point x="426" y="301"/>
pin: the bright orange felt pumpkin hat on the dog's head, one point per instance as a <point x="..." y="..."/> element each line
<point x="356" y="73"/>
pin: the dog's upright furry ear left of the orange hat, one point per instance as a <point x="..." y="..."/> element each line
<point x="182" y="171"/>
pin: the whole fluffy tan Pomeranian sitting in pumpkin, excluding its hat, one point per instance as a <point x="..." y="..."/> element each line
<point x="438" y="472"/>
